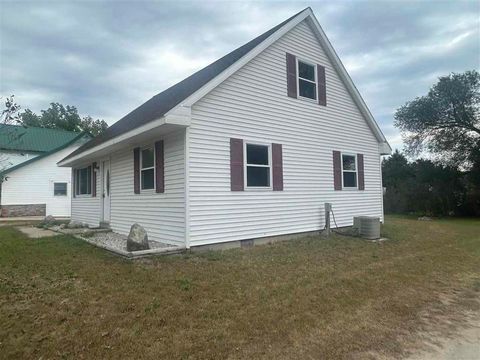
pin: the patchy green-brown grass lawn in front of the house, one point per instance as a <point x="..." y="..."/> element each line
<point x="308" y="298"/>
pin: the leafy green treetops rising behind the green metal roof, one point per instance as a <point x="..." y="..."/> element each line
<point x="58" y="116"/>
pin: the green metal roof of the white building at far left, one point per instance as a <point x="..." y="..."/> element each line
<point x="18" y="138"/>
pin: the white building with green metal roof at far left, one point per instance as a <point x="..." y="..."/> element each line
<point x="32" y="183"/>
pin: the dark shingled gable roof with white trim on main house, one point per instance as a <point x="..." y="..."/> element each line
<point x="193" y="87"/>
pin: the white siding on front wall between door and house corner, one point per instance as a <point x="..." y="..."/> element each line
<point x="162" y="214"/>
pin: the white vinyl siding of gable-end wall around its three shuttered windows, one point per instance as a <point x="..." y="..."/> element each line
<point x="253" y="104"/>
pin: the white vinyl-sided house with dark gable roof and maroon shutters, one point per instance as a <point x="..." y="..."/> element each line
<point x="251" y="146"/>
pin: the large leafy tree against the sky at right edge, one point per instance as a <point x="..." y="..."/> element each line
<point x="446" y="121"/>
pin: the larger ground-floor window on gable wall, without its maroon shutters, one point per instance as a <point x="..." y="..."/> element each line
<point x="257" y="165"/>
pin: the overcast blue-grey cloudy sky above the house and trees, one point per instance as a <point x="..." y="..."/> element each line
<point x="107" y="57"/>
